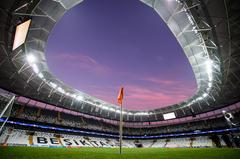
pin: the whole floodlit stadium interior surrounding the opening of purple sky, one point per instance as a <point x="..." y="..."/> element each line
<point x="41" y="116"/>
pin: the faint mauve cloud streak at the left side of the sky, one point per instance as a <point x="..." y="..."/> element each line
<point x="81" y="61"/>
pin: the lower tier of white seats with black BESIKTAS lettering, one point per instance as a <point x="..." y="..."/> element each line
<point x="23" y="137"/>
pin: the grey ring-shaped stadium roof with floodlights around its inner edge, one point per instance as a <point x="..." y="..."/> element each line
<point x="208" y="32"/>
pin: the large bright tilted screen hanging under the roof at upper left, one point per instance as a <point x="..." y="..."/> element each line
<point x="21" y="34"/>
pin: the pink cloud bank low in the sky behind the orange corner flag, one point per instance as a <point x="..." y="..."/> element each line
<point x="138" y="97"/>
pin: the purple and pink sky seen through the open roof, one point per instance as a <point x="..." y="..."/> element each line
<point x="100" y="45"/>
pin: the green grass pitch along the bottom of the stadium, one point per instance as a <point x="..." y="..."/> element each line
<point x="108" y="153"/>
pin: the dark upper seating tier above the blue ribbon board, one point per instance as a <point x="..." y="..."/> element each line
<point x="64" y="119"/>
